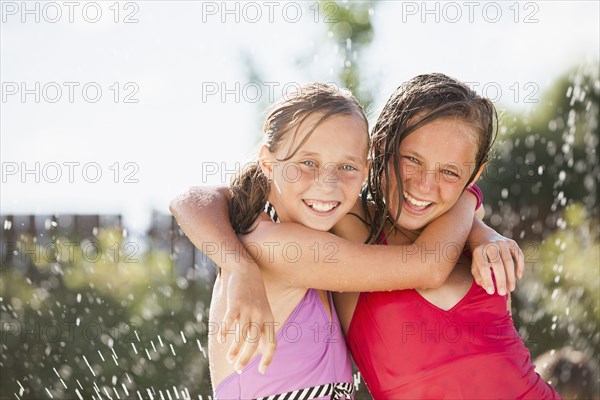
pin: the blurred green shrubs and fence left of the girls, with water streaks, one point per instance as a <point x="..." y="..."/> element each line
<point x="85" y="320"/>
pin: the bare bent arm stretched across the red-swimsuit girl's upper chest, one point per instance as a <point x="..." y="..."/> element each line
<point x="302" y="257"/>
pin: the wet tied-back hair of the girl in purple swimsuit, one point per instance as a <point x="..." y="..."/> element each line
<point x="250" y="190"/>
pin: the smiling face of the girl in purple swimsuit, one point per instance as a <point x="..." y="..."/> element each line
<point x="320" y="183"/>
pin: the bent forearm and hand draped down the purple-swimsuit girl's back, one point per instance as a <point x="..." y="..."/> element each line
<point x="203" y="215"/>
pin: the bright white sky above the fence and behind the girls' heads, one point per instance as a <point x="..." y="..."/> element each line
<point x="198" y="111"/>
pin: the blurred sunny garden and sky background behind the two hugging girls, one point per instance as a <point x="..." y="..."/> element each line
<point x="110" y="109"/>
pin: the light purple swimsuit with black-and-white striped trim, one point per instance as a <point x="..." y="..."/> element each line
<point x="311" y="361"/>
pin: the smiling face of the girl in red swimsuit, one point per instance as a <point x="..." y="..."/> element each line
<point x="436" y="163"/>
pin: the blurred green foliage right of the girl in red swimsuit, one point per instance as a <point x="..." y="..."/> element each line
<point x="541" y="189"/>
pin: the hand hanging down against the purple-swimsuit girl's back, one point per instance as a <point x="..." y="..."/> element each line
<point x="249" y="316"/>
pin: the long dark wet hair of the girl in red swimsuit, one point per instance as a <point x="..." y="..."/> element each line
<point x="419" y="101"/>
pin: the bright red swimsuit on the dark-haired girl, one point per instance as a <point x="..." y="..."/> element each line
<point x="407" y="348"/>
